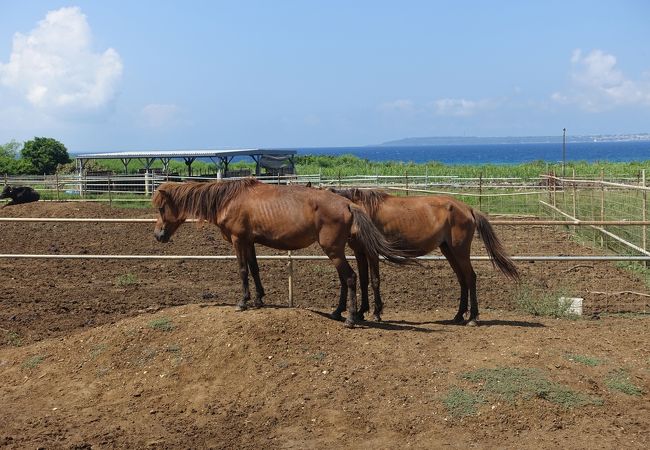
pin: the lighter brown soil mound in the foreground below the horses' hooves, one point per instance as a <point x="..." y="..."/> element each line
<point x="207" y="376"/>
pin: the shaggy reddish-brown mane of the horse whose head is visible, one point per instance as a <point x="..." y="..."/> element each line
<point x="201" y="200"/>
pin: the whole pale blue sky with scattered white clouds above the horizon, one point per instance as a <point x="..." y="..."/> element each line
<point x="150" y="75"/>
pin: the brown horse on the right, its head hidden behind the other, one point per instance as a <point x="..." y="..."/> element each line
<point x="421" y="224"/>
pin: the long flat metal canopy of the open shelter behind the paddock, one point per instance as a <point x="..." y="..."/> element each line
<point x="224" y="156"/>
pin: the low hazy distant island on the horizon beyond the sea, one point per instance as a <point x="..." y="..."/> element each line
<point x="477" y="140"/>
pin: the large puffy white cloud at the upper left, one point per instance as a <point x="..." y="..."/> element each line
<point x="55" y="69"/>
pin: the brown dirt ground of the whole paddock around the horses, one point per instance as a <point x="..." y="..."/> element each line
<point x="81" y="366"/>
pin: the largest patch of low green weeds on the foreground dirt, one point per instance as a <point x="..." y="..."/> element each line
<point x="511" y="383"/>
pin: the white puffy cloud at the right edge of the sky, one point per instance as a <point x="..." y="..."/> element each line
<point x="597" y="84"/>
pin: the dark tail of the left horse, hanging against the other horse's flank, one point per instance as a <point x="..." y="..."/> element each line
<point x="374" y="243"/>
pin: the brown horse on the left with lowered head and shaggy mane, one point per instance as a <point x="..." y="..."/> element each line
<point x="282" y="217"/>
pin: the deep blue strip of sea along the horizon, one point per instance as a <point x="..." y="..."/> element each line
<point x="496" y="153"/>
